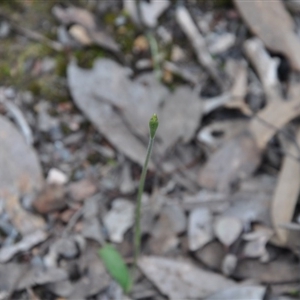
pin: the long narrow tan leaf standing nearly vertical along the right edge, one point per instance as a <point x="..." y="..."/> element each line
<point x="286" y="194"/>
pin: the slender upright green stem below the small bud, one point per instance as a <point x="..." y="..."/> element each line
<point x="137" y="232"/>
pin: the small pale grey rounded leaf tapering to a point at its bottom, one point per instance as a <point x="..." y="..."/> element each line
<point x="227" y="229"/>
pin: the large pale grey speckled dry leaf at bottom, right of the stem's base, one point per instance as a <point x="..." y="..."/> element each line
<point x="179" y="279"/>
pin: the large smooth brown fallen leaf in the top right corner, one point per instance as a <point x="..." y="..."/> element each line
<point x="280" y="37"/>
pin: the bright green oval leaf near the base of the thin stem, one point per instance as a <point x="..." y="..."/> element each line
<point x="116" y="266"/>
